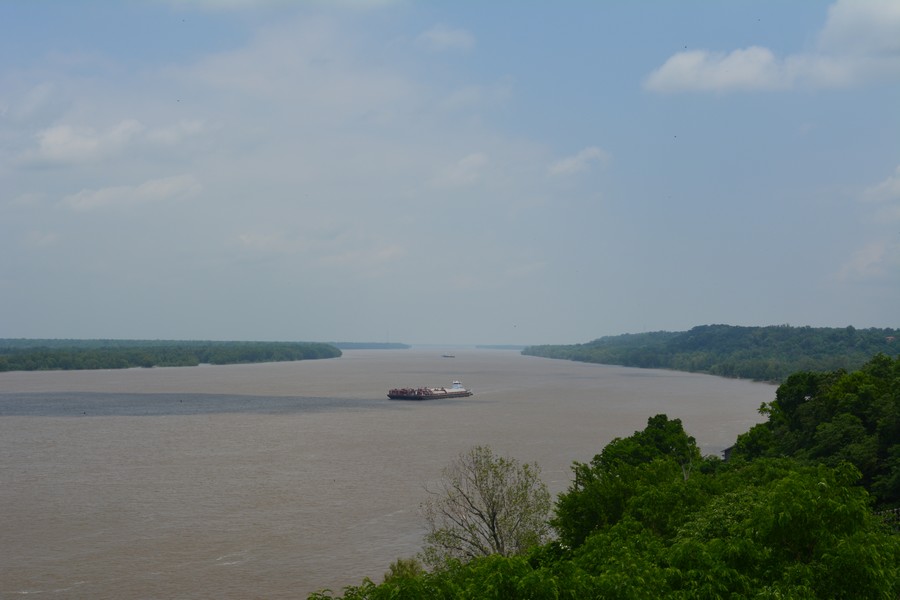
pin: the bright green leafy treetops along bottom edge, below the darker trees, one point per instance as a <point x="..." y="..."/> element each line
<point x="769" y="528"/>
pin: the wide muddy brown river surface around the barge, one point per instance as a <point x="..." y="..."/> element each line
<point x="275" y="480"/>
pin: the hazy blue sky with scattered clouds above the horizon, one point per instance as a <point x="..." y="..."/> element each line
<point x="446" y="172"/>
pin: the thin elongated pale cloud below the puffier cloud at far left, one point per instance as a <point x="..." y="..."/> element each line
<point x="155" y="190"/>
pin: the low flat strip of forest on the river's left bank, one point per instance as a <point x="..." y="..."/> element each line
<point x="34" y="355"/>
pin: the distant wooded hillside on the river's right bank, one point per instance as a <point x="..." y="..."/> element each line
<point x="761" y="353"/>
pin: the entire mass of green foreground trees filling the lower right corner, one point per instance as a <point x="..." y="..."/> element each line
<point x="790" y="515"/>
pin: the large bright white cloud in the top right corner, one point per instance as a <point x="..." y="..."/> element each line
<point x="860" y="42"/>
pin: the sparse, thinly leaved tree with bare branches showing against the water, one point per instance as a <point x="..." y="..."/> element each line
<point x="485" y="504"/>
